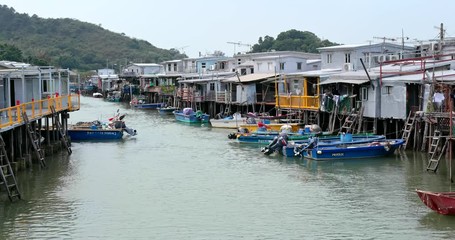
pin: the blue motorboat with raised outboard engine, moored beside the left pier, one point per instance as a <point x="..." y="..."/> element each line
<point x="96" y="130"/>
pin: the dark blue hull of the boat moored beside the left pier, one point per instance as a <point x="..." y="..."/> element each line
<point x="95" y="134"/>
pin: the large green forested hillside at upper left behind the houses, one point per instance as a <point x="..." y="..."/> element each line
<point x="70" y="43"/>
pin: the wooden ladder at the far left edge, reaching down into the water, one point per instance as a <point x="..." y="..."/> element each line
<point x="7" y="175"/>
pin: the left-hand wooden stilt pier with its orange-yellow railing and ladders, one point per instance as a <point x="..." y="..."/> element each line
<point x="29" y="132"/>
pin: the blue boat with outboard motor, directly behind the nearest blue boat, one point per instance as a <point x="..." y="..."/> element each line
<point x="293" y="147"/>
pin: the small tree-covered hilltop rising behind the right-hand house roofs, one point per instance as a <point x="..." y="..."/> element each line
<point x="292" y="40"/>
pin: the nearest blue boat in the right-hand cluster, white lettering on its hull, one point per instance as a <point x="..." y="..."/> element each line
<point x="350" y="151"/>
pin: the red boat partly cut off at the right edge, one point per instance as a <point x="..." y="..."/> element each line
<point x="441" y="202"/>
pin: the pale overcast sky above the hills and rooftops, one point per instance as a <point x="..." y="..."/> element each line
<point x="206" y="26"/>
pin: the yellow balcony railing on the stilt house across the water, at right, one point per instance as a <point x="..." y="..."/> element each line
<point x="297" y="102"/>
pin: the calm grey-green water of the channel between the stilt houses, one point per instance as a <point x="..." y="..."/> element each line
<point x="176" y="181"/>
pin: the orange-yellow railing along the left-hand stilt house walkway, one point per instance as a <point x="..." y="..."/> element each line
<point x="36" y="109"/>
